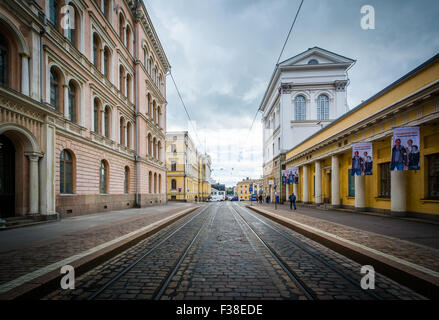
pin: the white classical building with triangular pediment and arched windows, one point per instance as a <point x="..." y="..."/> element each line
<point x="305" y="93"/>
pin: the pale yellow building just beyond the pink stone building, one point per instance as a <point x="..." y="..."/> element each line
<point x="188" y="177"/>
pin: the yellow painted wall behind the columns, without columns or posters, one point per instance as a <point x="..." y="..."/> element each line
<point x="379" y="130"/>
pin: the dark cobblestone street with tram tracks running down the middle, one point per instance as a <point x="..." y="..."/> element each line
<point x="226" y="251"/>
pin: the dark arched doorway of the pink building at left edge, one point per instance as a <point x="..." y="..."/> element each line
<point x="7" y="177"/>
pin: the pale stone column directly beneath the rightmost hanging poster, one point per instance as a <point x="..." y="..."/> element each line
<point x="398" y="193"/>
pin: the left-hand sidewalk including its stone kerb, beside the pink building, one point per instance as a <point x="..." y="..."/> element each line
<point x="29" y="257"/>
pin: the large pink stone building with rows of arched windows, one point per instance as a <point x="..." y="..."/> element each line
<point x="82" y="110"/>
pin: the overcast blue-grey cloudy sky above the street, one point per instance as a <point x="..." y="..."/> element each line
<point x="223" y="52"/>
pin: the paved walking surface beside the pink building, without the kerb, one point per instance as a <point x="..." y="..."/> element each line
<point x="29" y="249"/>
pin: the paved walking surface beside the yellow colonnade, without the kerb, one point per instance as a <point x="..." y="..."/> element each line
<point x="392" y="236"/>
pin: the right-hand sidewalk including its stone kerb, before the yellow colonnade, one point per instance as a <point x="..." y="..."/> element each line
<point x="397" y="247"/>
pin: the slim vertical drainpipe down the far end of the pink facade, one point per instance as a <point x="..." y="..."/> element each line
<point x="136" y="99"/>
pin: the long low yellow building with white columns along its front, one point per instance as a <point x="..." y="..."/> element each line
<point x="325" y="158"/>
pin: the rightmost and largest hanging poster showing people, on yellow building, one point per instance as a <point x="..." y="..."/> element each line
<point x="405" y="149"/>
